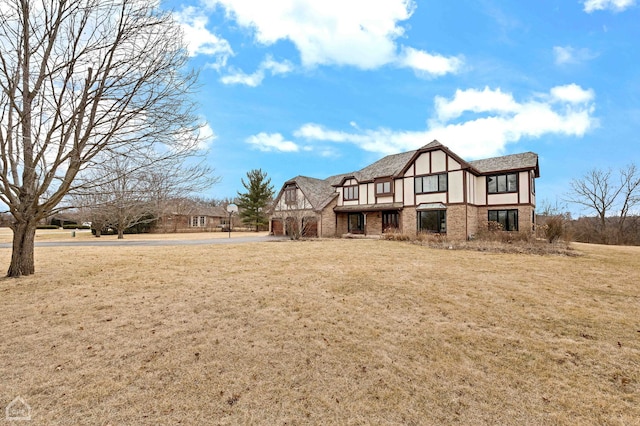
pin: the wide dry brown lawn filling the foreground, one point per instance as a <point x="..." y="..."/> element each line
<point x="323" y="332"/>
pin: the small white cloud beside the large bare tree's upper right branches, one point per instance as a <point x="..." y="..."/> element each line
<point x="200" y="41"/>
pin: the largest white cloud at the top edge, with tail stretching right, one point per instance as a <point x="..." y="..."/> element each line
<point x="359" y="33"/>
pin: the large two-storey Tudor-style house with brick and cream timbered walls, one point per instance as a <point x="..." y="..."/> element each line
<point x="427" y="190"/>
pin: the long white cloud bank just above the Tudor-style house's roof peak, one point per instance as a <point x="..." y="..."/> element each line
<point x="565" y="110"/>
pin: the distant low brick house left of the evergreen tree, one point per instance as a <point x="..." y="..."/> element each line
<point x="187" y="216"/>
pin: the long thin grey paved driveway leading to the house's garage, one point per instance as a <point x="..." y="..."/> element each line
<point x="148" y="243"/>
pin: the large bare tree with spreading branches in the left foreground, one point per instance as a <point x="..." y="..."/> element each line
<point x="79" y="78"/>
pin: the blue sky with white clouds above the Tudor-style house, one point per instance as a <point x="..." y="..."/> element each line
<point x="316" y="88"/>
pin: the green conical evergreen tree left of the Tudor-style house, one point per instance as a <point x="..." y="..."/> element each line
<point x="253" y="203"/>
